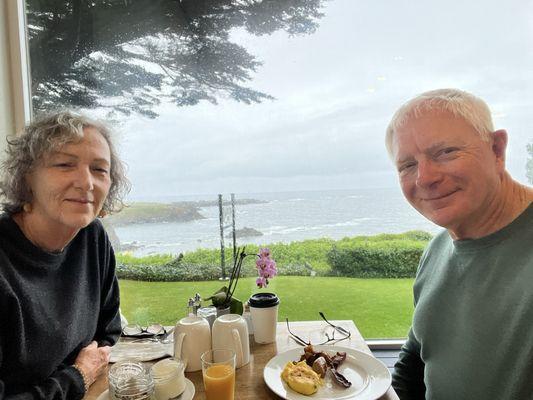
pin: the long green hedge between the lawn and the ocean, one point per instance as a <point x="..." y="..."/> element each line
<point x="378" y="256"/>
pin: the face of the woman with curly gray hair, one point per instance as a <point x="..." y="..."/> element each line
<point x="69" y="186"/>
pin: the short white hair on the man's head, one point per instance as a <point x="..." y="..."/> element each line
<point x="460" y="103"/>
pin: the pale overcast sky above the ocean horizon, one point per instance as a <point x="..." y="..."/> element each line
<point x="335" y="92"/>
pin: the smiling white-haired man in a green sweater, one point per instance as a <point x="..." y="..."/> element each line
<point x="472" y="331"/>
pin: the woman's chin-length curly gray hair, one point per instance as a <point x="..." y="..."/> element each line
<point x="43" y="137"/>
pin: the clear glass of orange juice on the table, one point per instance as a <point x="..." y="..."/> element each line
<point x="218" y="369"/>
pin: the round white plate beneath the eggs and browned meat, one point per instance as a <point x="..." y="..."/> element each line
<point x="370" y="378"/>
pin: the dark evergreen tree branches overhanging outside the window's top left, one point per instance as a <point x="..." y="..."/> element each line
<point x="129" y="56"/>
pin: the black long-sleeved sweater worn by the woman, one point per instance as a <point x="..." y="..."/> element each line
<point x="51" y="306"/>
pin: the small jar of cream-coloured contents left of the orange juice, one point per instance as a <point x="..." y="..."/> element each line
<point x="169" y="378"/>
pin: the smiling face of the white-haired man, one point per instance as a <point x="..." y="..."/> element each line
<point x="447" y="172"/>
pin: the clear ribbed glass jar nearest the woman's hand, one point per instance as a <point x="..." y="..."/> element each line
<point x="130" y="380"/>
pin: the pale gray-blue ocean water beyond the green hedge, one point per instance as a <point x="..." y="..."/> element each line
<point x="281" y="217"/>
